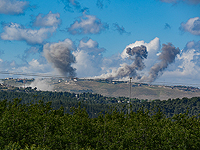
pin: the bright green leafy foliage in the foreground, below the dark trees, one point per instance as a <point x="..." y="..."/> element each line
<point x="38" y="126"/>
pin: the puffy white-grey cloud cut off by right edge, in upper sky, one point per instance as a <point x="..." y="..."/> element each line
<point x="192" y="26"/>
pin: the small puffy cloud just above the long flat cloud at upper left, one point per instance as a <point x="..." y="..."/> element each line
<point x="47" y="20"/>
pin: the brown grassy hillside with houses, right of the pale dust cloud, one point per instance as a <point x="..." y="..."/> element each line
<point x="119" y="89"/>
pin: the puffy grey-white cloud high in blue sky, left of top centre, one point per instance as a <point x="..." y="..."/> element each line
<point x="87" y="24"/>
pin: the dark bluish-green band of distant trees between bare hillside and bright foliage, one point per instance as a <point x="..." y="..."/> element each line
<point x="96" y="103"/>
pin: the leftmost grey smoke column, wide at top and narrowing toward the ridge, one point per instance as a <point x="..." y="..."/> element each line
<point x="60" y="56"/>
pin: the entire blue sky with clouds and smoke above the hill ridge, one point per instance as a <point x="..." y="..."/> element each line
<point x="155" y="41"/>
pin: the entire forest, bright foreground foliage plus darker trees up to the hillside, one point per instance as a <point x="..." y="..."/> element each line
<point x="33" y="119"/>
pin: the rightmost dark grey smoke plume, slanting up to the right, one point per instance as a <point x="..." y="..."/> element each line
<point x="167" y="57"/>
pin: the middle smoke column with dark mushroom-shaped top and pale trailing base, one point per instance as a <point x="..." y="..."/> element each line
<point x="139" y="53"/>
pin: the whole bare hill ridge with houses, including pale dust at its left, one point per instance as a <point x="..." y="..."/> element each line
<point x="109" y="88"/>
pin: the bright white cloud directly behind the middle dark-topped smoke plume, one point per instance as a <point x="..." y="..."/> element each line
<point x="122" y="63"/>
